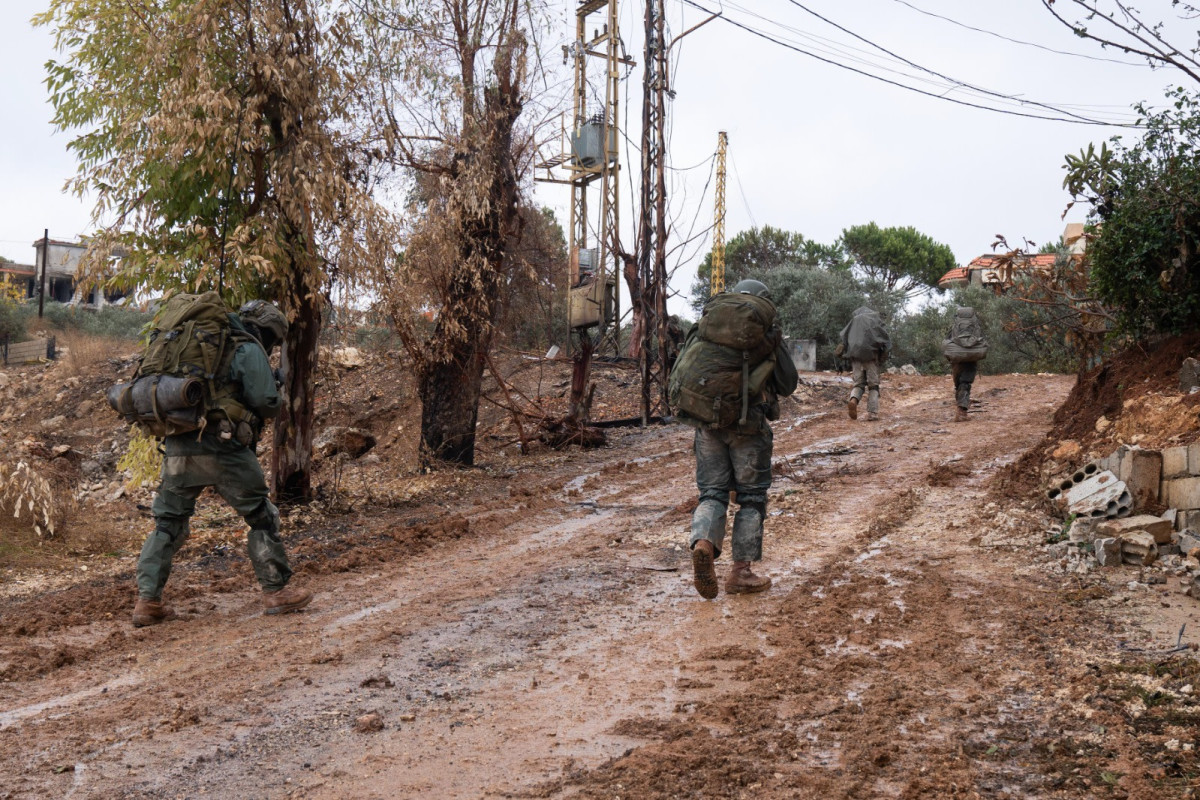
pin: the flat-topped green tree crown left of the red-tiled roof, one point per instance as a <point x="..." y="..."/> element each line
<point x="904" y="260"/>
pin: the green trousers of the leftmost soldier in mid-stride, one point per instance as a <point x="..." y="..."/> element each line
<point x="238" y="478"/>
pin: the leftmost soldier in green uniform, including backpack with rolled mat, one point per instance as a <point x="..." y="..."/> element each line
<point x="224" y="359"/>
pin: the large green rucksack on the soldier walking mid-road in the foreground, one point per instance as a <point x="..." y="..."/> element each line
<point x="725" y="362"/>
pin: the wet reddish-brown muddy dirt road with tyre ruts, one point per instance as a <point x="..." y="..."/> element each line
<point x="549" y="642"/>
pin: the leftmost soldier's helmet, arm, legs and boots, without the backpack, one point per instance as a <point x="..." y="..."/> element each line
<point x="224" y="458"/>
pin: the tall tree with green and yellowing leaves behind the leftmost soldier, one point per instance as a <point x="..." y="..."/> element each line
<point x="250" y="130"/>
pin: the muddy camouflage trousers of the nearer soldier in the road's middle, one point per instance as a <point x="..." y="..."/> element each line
<point x="733" y="461"/>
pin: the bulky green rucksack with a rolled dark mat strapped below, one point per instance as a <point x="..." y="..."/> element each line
<point x="182" y="382"/>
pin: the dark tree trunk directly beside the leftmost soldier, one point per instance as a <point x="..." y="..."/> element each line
<point x="292" y="454"/>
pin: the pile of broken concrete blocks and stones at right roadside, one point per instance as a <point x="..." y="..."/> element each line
<point x="1103" y="495"/>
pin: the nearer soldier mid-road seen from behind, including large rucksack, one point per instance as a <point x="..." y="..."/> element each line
<point x="731" y="372"/>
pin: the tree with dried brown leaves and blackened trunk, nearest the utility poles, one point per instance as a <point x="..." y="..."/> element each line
<point x="457" y="97"/>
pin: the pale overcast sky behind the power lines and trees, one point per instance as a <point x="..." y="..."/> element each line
<point x="814" y="148"/>
